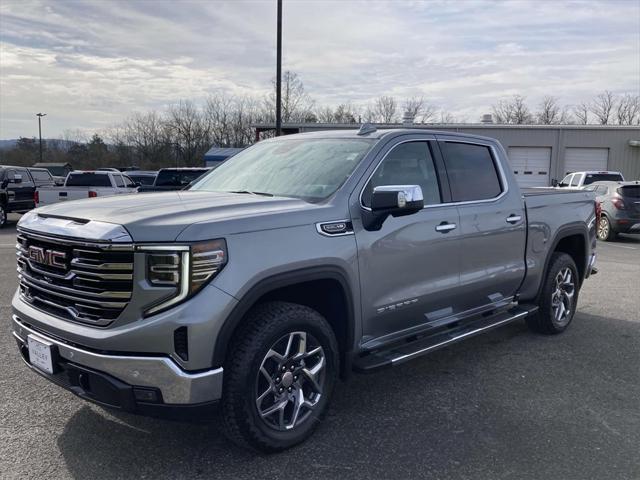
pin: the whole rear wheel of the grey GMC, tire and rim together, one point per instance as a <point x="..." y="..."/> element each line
<point x="559" y="296"/>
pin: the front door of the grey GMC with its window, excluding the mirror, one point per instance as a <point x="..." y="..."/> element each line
<point x="409" y="268"/>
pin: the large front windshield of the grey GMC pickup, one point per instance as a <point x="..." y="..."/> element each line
<point x="310" y="169"/>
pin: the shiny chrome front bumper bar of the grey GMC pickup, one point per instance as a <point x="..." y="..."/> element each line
<point x="176" y="385"/>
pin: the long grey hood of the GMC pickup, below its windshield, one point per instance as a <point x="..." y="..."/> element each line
<point x="188" y="215"/>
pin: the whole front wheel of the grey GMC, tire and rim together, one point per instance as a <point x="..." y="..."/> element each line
<point x="279" y="377"/>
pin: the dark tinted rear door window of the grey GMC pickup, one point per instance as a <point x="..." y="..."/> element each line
<point x="472" y="171"/>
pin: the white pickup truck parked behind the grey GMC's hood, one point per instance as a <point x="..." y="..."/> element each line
<point x="87" y="184"/>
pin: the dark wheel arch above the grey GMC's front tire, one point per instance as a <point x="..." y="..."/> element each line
<point x="325" y="289"/>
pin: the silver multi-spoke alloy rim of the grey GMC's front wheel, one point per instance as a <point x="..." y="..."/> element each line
<point x="290" y="381"/>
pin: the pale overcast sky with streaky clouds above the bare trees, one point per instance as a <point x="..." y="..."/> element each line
<point x="90" y="64"/>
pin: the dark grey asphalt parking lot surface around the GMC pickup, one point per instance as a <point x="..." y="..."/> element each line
<point x="509" y="404"/>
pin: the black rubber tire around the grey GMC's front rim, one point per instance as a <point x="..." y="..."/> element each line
<point x="265" y="325"/>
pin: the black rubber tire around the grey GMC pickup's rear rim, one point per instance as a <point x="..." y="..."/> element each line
<point x="545" y="319"/>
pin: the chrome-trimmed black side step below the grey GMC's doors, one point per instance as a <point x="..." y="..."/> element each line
<point x="401" y="353"/>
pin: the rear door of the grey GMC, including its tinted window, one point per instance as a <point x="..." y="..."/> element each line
<point x="492" y="231"/>
